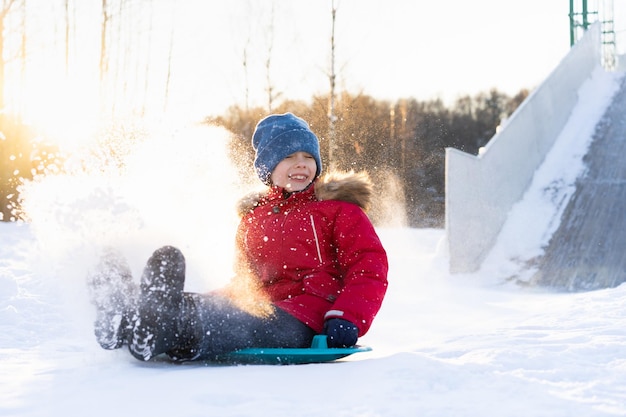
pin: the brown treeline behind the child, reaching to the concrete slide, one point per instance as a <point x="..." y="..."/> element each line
<point x="400" y="144"/>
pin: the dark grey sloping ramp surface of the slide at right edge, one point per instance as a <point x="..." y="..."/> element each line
<point x="588" y="250"/>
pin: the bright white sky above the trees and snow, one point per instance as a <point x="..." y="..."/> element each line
<point x="389" y="49"/>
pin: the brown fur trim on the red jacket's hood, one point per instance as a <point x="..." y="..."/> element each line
<point x="351" y="187"/>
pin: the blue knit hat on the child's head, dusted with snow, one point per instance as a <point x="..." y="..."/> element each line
<point x="278" y="136"/>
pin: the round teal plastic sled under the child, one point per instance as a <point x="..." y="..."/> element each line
<point x="318" y="352"/>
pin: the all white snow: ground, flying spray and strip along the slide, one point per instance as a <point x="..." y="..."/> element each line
<point x="443" y="345"/>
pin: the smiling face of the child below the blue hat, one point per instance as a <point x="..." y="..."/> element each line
<point x="295" y="172"/>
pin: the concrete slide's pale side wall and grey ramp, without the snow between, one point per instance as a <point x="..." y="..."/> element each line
<point x="588" y="250"/>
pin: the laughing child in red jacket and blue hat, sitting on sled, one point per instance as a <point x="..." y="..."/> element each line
<point x="308" y="261"/>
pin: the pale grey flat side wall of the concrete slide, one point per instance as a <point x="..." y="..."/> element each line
<point x="481" y="189"/>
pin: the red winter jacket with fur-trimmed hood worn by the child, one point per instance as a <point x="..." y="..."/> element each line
<point x="315" y="253"/>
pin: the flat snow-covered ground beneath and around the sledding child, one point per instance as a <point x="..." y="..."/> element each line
<point x="442" y="347"/>
